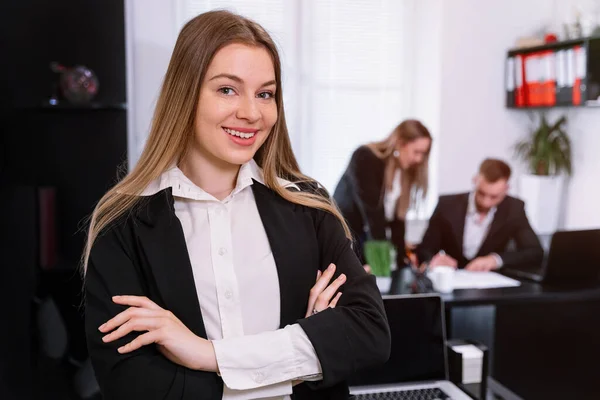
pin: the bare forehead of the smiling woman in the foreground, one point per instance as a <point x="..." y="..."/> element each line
<point x="250" y="63"/>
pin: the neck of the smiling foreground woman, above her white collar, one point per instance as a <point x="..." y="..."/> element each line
<point x="214" y="176"/>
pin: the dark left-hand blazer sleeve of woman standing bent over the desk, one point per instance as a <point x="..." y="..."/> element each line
<point x="368" y="185"/>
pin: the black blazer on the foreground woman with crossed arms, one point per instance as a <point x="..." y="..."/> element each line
<point x="144" y="253"/>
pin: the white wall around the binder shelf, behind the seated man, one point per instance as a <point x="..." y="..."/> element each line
<point x="474" y="122"/>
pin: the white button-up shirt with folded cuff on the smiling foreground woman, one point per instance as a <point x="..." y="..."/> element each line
<point x="238" y="288"/>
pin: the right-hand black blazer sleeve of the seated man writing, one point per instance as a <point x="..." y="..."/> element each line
<point x="529" y="251"/>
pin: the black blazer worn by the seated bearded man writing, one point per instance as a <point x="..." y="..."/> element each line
<point x="510" y="224"/>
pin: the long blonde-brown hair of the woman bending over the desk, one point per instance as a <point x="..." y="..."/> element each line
<point x="413" y="181"/>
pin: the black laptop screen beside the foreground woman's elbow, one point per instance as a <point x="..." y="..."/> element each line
<point x="418" y="340"/>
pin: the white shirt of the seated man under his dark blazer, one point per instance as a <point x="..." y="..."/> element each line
<point x="476" y="230"/>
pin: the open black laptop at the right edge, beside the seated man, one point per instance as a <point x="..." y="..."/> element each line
<point x="574" y="256"/>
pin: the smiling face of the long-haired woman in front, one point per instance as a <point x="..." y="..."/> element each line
<point x="237" y="107"/>
